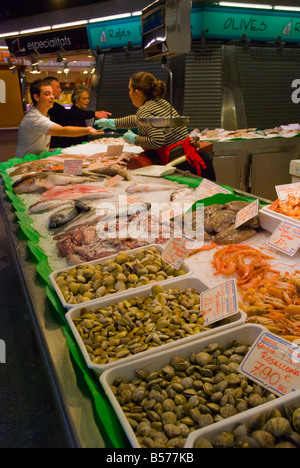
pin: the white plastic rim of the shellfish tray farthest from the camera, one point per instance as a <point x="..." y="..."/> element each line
<point x="101" y="261"/>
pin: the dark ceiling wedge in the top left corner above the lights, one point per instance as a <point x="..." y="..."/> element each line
<point x="12" y="9"/>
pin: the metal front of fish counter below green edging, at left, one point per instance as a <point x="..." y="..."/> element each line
<point x="72" y="393"/>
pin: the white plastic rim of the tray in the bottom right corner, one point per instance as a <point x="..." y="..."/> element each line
<point x="289" y="401"/>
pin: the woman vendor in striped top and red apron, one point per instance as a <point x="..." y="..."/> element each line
<point x="147" y="94"/>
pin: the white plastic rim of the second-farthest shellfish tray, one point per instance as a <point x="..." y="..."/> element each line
<point x="238" y="318"/>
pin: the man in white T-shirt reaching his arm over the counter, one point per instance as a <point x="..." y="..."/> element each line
<point x="36" y="127"/>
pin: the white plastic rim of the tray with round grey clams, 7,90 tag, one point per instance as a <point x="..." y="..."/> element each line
<point x="246" y="334"/>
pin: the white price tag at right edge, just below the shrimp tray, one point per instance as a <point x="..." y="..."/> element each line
<point x="286" y="238"/>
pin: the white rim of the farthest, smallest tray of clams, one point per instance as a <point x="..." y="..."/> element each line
<point x="103" y="262"/>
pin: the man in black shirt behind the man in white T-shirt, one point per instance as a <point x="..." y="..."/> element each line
<point x="62" y="116"/>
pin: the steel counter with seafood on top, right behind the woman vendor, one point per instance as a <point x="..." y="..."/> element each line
<point x="243" y="159"/>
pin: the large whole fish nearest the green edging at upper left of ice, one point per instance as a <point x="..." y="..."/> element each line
<point x="46" y="180"/>
